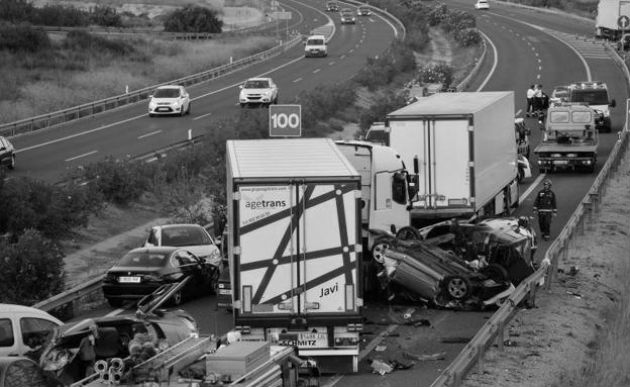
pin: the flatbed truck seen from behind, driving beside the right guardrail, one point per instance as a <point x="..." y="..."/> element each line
<point x="570" y="139"/>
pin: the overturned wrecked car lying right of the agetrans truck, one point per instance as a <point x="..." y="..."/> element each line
<point x="455" y="264"/>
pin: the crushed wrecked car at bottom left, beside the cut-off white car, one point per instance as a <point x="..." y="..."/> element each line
<point x="113" y="335"/>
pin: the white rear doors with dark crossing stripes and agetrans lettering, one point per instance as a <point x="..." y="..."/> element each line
<point x="297" y="247"/>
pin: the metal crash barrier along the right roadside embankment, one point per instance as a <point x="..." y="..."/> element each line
<point x="494" y="329"/>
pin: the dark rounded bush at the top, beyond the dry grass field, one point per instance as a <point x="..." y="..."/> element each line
<point x="193" y="19"/>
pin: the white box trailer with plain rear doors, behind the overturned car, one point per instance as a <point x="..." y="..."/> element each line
<point x="463" y="145"/>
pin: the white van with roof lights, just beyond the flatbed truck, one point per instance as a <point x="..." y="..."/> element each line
<point x="595" y="95"/>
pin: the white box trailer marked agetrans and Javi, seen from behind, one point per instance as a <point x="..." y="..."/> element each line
<point x="294" y="247"/>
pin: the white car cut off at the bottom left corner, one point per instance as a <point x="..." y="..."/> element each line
<point x="23" y="328"/>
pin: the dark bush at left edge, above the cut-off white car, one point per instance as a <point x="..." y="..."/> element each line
<point x="30" y="269"/>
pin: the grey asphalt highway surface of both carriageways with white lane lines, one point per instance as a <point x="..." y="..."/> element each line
<point x="524" y="48"/>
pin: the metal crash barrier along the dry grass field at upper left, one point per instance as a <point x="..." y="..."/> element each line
<point x="46" y="120"/>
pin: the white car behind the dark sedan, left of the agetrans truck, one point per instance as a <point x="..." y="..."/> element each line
<point x="191" y="237"/>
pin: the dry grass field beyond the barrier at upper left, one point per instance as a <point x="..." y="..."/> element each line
<point x="75" y="72"/>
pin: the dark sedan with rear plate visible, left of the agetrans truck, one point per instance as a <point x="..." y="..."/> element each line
<point x="141" y="271"/>
